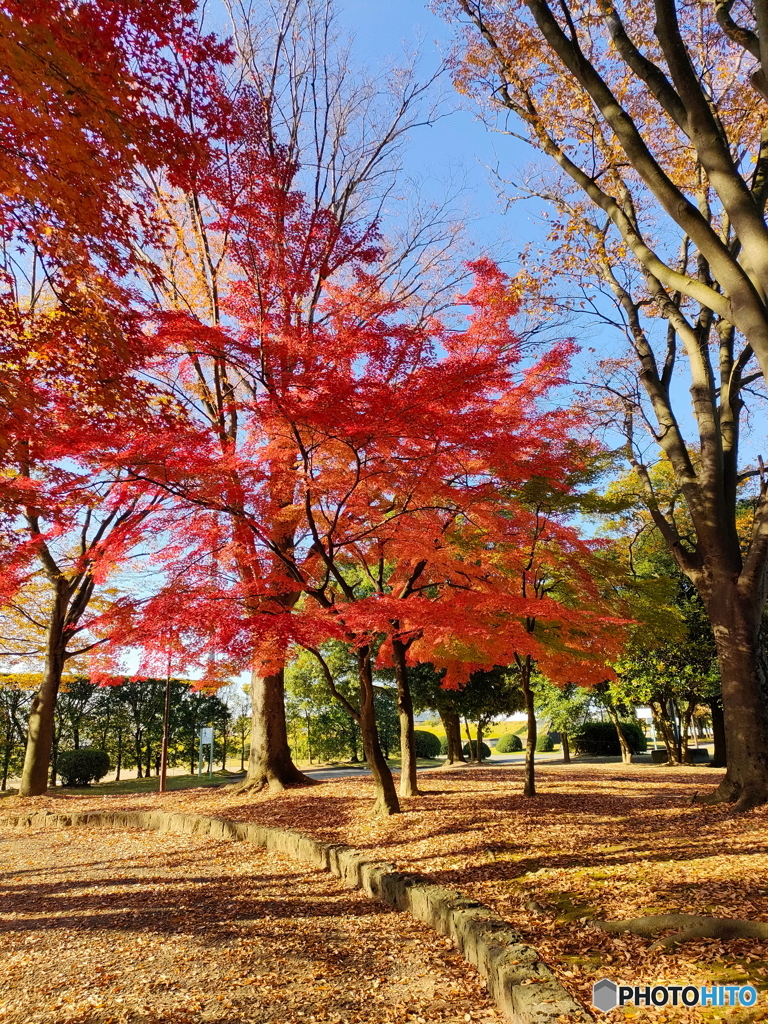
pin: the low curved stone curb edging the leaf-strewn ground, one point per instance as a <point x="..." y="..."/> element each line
<point x="523" y="987"/>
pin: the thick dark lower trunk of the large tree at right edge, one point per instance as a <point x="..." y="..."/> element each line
<point x="736" y="622"/>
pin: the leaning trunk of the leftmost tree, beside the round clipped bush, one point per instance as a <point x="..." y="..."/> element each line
<point x="41" y="728"/>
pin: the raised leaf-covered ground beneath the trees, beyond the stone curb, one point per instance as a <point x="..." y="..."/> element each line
<point x="610" y="841"/>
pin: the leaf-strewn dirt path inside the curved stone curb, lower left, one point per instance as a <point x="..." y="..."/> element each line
<point x="114" y="926"/>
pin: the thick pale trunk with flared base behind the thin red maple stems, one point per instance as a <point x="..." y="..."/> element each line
<point x="270" y="763"/>
